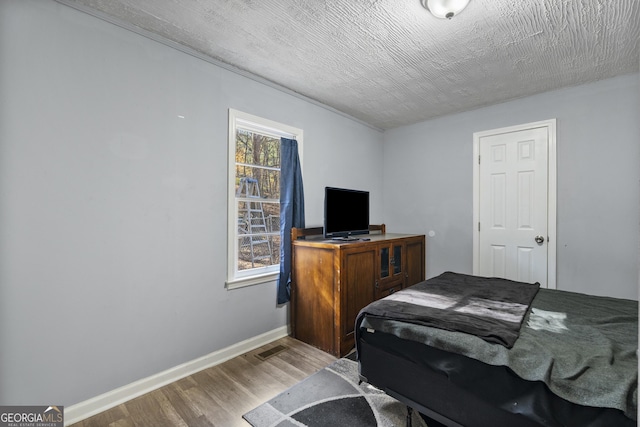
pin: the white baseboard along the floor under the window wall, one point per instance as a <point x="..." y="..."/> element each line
<point x="95" y="405"/>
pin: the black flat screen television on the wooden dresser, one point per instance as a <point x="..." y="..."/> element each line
<point x="346" y="212"/>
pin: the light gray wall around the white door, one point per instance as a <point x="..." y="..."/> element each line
<point x="429" y="182"/>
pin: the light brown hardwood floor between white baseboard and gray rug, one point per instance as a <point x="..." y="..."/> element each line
<point x="218" y="396"/>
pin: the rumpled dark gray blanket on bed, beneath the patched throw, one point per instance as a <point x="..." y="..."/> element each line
<point x="584" y="348"/>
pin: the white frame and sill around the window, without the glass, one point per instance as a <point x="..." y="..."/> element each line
<point x="238" y="119"/>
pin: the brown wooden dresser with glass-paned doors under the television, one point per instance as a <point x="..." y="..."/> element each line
<point x="333" y="280"/>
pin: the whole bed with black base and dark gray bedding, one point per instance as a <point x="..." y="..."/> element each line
<point x="473" y="351"/>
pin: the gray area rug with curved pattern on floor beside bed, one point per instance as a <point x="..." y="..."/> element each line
<point x="332" y="397"/>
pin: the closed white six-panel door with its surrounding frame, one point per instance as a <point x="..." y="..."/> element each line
<point x="513" y="236"/>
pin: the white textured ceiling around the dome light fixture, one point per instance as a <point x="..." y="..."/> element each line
<point x="390" y="62"/>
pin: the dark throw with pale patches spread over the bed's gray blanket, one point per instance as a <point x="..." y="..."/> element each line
<point x="489" y="308"/>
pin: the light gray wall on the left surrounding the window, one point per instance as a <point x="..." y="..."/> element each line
<point x="113" y="230"/>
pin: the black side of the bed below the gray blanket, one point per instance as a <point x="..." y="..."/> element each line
<point x="456" y="391"/>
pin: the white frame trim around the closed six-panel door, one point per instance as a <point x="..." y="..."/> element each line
<point x="550" y="125"/>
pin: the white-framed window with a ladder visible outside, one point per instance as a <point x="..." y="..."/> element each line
<point x="254" y="198"/>
